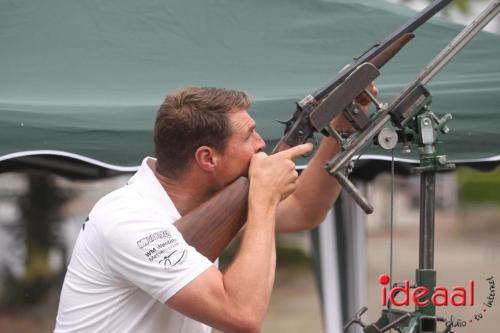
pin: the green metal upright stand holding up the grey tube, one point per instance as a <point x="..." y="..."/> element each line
<point x="419" y="128"/>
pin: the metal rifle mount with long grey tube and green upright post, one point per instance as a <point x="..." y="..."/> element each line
<point x="409" y="120"/>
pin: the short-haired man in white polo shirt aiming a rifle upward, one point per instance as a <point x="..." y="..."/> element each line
<point x="132" y="271"/>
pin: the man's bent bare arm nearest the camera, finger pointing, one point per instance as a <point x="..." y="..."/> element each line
<point x="236" y="301"/>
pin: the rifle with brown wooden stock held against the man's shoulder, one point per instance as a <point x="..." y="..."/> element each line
<point x="212" y="225"/>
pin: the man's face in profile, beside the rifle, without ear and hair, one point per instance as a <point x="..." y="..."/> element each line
<point x="243" y="143"/>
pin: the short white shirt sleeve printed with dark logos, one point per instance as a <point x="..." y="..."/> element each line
<point x="153" y="256"/>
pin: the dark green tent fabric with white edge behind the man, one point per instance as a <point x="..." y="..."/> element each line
<point x="84" y="78"/>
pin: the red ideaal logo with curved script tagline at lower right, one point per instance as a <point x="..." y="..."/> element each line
<point x="441" y="296"/>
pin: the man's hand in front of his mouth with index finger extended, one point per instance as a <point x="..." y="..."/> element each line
<point x="273" y="178"/>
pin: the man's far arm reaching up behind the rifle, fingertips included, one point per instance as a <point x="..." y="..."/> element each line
<point x="316" y="190"/>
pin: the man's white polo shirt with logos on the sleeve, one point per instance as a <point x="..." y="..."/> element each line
<point x="127" y="262"/>
